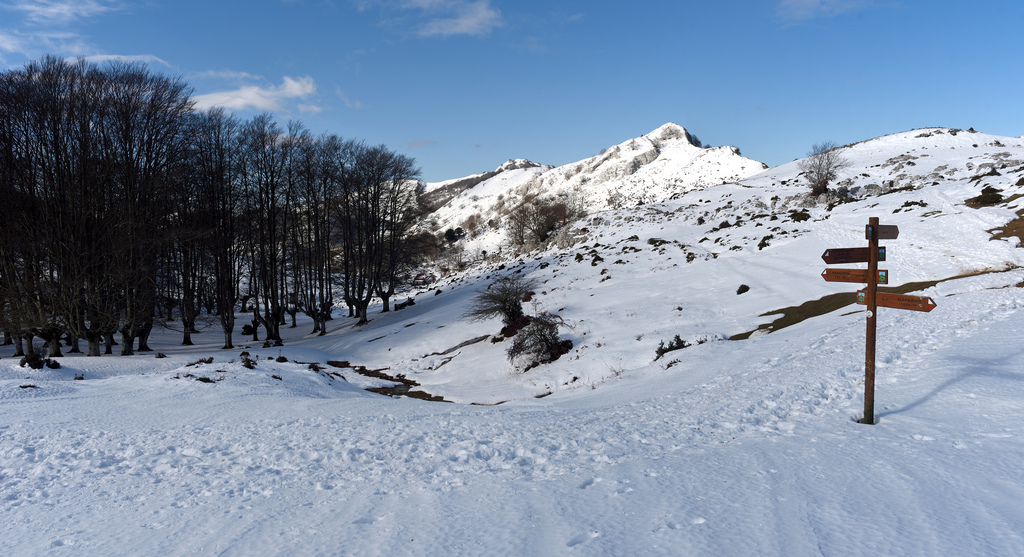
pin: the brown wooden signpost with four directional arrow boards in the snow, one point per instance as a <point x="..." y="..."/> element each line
<point x="871" y="297"/>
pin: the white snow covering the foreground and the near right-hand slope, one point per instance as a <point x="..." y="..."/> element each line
<point x="726" y="448"/>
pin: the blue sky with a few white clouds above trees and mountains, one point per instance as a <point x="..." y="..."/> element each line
<point x="464" y="85"/>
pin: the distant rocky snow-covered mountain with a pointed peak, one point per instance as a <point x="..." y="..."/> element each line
<point x="648" y="169"/>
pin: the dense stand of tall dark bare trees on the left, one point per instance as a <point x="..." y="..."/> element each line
<point x="123" y="205"/>
